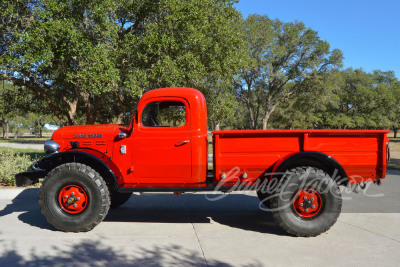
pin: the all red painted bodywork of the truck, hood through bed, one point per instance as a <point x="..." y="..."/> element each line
<point x="156" y="156"/>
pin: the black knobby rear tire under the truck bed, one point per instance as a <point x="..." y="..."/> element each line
<point x="285" y="207"/>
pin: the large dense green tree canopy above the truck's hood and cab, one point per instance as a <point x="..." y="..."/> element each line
<point x="93" y="59"/>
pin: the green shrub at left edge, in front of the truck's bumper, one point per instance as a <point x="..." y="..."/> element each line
<point x="10" y="164"/>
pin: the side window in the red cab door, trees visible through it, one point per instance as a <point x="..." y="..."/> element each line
<point x="164" y="114"/>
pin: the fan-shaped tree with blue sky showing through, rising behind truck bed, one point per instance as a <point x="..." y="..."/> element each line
<point x="282" y="60"/>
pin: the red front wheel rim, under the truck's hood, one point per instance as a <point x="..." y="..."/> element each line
<point x="72" y="199"/>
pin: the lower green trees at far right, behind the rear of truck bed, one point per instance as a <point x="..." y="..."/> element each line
<point x="347" y="99"/>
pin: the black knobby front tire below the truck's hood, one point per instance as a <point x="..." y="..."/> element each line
<point x="81" y="176"/>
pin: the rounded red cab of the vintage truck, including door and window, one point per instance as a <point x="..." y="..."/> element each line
<point x="169" y="137"/>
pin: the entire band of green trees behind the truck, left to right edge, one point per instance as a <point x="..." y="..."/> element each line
<point x="89" y="61"/>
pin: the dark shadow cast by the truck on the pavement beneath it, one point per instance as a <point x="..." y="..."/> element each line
<point x="234" y="210"/>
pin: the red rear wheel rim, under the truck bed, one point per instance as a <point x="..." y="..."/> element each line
<point x="307" y="203"/>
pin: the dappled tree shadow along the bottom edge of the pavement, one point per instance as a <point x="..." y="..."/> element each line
<point x="95" y="253"/>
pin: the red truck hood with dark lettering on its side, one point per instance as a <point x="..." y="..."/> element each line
<point x="87" y="135"/>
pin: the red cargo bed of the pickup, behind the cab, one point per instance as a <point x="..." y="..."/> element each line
<point x="251" y="154"/>
